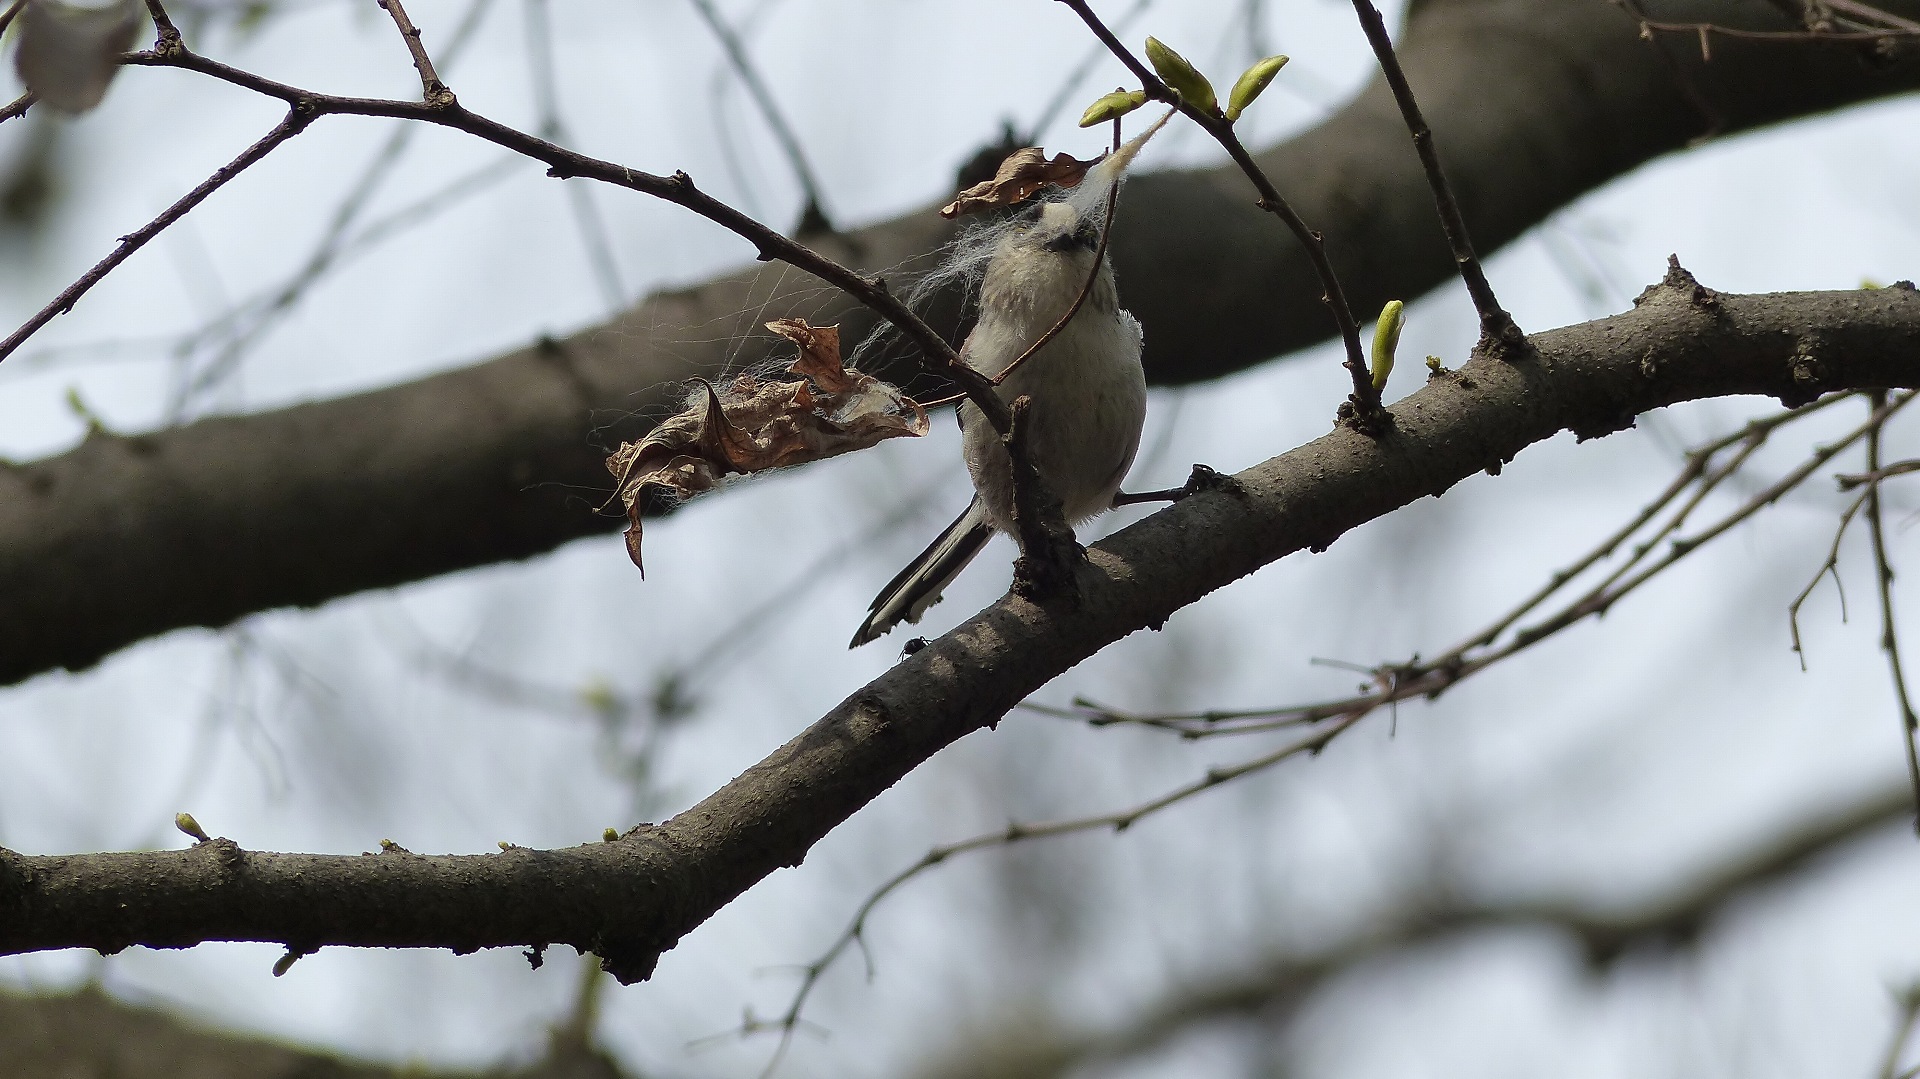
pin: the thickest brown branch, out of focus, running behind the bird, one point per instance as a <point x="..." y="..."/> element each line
<point x="124" y="539"/>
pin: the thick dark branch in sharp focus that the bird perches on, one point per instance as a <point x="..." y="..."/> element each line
<point x="638" y="896"/>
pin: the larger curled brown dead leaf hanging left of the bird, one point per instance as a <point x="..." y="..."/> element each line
<point x="763" y="423"/>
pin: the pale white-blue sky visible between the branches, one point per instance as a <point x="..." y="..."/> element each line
<point x="1604" y="765"/>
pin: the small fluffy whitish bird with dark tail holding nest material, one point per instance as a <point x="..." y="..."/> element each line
<point x="1088" y="396"/>
